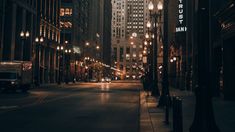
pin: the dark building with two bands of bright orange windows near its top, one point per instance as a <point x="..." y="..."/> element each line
<point x="70" y="36"/>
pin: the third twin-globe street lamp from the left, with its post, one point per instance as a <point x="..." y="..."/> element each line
<point x="60" y="57"/>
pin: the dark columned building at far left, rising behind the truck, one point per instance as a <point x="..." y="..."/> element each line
<point x="17" y="16"/>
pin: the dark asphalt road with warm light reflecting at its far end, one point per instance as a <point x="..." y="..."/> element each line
<point x="84" y="107"/>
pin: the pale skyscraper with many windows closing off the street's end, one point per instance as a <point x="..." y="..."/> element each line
<point x="129" y="20"/>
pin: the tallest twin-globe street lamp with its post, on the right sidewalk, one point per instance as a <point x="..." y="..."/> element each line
<point x="154" y="16"/>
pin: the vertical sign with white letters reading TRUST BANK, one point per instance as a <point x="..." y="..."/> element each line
<point x="181" y="26"/>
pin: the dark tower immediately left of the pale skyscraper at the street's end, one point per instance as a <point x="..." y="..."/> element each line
<point x="99" y="28"/>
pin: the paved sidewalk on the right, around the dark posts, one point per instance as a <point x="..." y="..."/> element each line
<point x="152" y="118"/>
